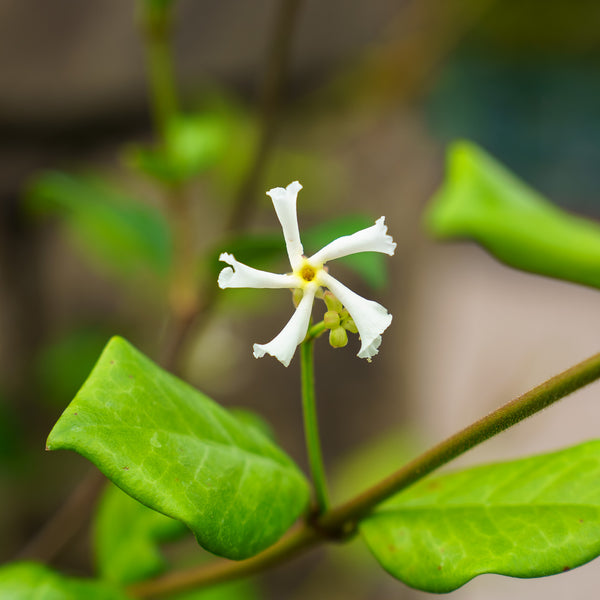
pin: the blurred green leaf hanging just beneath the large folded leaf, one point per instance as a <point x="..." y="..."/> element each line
<point x="127" y="535"/>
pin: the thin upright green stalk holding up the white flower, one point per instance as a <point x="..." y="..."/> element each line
<point x="311" y="428"/>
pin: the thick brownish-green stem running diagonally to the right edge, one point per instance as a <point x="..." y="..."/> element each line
<point x="342" y="519"/>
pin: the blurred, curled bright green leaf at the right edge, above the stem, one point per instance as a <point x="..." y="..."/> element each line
<point x="483" y="201"/>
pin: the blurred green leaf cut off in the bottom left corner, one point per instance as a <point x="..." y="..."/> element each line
<point x="32" y="581"/>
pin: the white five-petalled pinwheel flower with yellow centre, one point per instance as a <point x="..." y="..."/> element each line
<point x="308" y="274"/>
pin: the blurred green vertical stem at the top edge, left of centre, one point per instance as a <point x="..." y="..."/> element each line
<point x="155" y="22"/>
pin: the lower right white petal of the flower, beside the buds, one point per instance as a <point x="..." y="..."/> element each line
<point x="371" y="318"/>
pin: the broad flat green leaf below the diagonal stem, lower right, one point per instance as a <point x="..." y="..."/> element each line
<point x="526" y="518"/>
